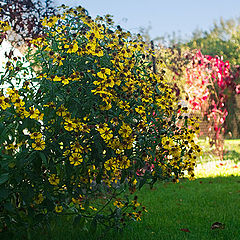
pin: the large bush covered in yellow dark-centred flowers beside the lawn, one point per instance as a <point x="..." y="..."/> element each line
<point x="89" y="127"/>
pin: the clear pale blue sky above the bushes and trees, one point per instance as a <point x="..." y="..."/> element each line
<point x="163" y="16"/>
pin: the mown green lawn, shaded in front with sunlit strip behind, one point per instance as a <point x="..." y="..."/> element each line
<point x="190" y="205"/>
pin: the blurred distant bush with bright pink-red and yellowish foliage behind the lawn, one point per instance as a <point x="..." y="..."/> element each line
<point x="208" y="85"/>
